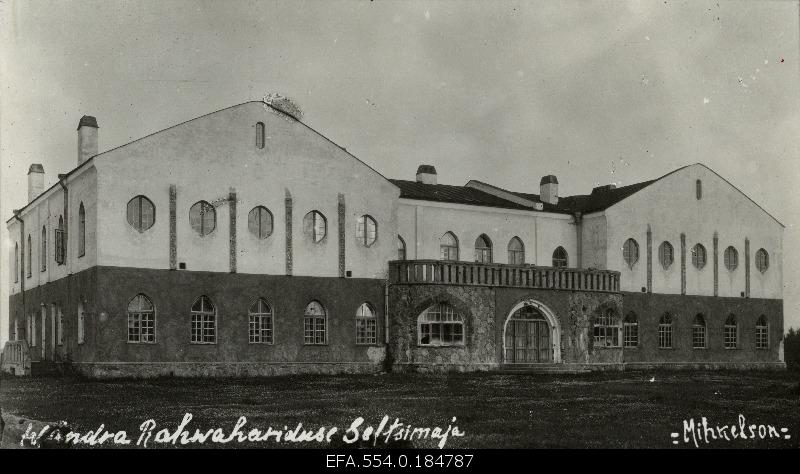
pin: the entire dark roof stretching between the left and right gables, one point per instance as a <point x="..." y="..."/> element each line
<point x="601" y="198"/>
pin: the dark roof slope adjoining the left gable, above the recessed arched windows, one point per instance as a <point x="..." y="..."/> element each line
<point x="453" y="194"/>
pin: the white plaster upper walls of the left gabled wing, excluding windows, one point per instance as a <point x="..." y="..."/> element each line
<point x="206" y="158"/>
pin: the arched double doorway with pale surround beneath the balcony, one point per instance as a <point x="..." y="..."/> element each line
<point x="531" y="335"/>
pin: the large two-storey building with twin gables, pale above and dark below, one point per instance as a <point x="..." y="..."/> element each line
<point x="243" y="242"/>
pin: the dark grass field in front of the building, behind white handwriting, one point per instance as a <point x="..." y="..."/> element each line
<point x="601" y="410"/>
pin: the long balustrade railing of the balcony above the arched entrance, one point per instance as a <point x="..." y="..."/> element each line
<point x="444" y="272"/>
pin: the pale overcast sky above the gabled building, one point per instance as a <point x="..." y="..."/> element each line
<point x="505" y="92"/>
